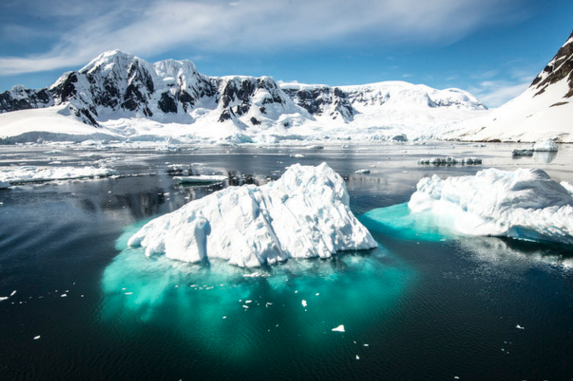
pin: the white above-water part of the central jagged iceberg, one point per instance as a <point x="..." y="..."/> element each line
<point x="303" y="214"/>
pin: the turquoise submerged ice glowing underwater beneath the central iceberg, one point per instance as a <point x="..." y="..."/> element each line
<point x="232" y="310"/>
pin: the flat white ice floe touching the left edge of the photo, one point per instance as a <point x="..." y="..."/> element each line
<point x="28" y="174"/>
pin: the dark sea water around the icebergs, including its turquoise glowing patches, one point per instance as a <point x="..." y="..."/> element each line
<point x="425" y="307"/>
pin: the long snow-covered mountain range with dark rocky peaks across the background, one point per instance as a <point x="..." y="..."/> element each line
<point x="123" y="96"/>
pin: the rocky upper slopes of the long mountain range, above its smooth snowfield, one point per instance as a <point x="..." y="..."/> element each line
<point x="119" y="85"/>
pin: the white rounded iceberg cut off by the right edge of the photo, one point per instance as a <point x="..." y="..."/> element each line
<point x="524" y="204"/>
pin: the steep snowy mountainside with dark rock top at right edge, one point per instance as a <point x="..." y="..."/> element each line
<point x="544" y="110"/>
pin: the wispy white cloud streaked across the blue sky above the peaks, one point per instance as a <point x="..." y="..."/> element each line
<point x="152" y="27"/>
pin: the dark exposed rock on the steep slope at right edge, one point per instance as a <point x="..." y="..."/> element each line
<point x="560" y="67"/>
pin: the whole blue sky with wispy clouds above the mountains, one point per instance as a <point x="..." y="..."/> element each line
<point x="491" y="48"/>
